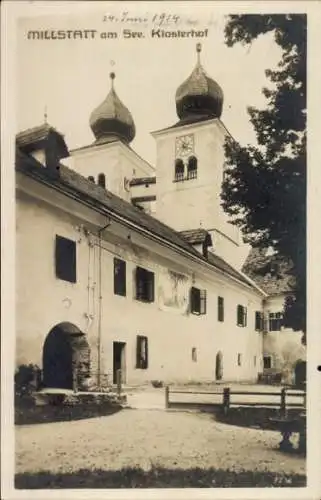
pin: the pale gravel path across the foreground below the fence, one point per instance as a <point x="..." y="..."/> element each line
<point x="145" y="437"/>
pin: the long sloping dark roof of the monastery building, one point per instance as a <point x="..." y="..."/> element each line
<point x="100" y="199"/>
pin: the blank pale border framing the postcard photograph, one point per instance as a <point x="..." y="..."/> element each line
<point x="10" y="12"/>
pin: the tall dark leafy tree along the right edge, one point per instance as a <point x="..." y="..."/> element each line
<point x="265" y="185"/>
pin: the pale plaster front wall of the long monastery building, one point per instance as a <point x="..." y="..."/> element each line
<point x="171" y="330"/>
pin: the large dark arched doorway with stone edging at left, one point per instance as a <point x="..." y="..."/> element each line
<point x="66" y="357"/>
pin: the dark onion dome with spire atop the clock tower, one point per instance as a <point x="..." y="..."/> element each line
<point x="199" y="96"/>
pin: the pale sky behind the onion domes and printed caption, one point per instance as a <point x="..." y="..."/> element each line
<point x="67" y="79"/>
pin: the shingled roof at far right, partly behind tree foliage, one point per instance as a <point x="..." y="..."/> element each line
<point x="272" y="273"/>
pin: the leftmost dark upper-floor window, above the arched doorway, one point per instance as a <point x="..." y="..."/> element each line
<point x="65" y="259"/>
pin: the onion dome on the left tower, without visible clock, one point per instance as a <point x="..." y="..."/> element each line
<point x="112" y="120"/>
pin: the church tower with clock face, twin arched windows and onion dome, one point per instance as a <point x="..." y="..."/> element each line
<point x="190" y="165"/>
